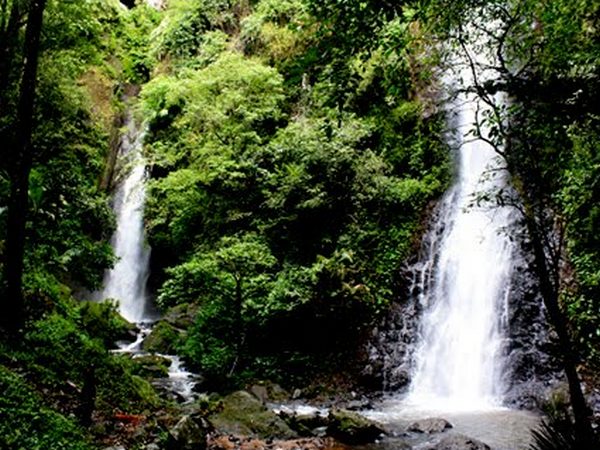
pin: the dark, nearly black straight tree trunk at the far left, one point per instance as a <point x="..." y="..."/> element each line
<point x="20" y="167"/>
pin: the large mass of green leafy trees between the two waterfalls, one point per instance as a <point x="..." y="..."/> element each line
<point x="272" y="206"/>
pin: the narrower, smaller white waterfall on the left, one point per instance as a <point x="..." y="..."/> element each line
<point x="126" y="282"/>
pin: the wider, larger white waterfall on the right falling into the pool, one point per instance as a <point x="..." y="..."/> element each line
<point x="464" y="281"/>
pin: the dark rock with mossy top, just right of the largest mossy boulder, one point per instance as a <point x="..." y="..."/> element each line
<point x="350" y="427"/>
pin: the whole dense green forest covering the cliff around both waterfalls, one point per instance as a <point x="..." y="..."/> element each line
<point x="295" y="150"/>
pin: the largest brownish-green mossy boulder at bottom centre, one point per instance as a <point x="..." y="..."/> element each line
<point x="243" y="414"/>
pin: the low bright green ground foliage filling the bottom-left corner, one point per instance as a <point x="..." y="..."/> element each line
<point x="27" y="423"/>
